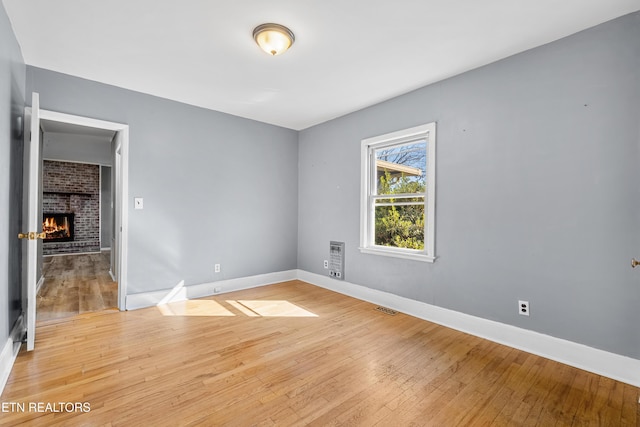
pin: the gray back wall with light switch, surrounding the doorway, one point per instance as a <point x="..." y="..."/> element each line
<point x="217" y="188"/>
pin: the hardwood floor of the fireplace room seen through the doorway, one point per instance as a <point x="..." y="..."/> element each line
<point x="76" y="284"/>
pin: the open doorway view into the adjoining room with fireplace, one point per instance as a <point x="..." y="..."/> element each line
<point x="77" y="216"/>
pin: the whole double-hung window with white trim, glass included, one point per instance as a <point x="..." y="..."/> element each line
<point x="398" y="194"/>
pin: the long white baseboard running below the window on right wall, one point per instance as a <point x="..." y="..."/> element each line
<point x="611" y="365"/>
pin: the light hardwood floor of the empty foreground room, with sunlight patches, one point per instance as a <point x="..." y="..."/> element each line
<point x="295" y="354"/>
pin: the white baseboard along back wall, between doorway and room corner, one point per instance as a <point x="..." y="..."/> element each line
<point x="181" y="292"/>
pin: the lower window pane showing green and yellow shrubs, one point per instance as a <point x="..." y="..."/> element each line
<point x="400" y="226"/>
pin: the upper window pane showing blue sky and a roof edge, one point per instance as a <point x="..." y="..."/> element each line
<point x="401" y="169"/>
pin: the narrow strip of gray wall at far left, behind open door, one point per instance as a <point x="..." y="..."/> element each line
<point x="12" y="92"/>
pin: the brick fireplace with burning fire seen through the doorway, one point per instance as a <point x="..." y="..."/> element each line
<point x="72" y="191"/>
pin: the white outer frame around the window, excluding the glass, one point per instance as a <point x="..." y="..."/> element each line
<point x="368" y="146"/>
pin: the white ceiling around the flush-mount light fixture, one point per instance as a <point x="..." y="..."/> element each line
<point x="348" y="54"/>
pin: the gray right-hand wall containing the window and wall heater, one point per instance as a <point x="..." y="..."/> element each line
<point x="537" y="190"/>
